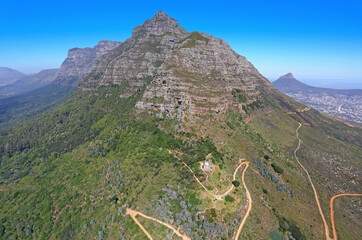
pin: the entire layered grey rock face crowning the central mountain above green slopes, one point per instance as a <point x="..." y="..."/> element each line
<point x="187" y="74"/>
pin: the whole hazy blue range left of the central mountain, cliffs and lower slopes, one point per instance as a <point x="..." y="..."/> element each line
<point x="51" y="86"/>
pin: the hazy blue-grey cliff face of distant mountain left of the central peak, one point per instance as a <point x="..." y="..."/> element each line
<point x="80" y="61"/>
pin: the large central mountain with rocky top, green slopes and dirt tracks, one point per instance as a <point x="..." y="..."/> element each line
<point x="125" y="155"/>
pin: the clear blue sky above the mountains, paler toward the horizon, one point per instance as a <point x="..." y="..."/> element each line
<point x="319" y="41"/>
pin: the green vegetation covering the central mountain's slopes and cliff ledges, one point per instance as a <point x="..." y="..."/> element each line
<point x="72" y="173"/>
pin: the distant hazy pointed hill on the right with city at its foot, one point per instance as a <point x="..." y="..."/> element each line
<point x="346" y="103"/>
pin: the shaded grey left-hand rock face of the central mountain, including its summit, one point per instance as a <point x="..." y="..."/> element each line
<point x="138" y="58"/>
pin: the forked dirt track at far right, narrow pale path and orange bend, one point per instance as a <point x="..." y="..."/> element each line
<point x="326" y="227"/>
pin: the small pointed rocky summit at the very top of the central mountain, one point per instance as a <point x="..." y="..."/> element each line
<point x="160" y="24"/>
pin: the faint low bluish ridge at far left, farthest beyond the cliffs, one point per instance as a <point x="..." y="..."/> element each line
<point x="28" y="83"/>
